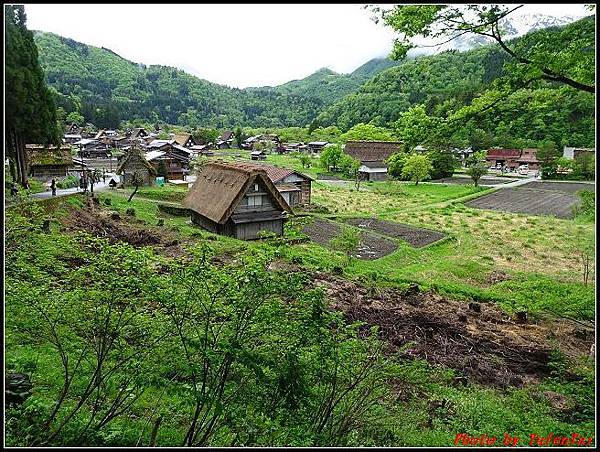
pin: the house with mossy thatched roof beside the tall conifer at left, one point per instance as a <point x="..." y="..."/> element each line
<point x="47" y="162"/>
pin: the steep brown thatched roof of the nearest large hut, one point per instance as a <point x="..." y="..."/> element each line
<point x="219" y="188"/>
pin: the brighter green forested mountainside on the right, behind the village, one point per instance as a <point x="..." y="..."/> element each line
<point x="446" y="82"/>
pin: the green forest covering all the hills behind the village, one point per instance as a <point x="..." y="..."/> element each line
<point x="98" y="86"/>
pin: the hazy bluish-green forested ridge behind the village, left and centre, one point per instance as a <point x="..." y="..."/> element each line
<point x="106" y="88"/>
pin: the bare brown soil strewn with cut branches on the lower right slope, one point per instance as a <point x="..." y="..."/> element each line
<point x="486" y="347"/>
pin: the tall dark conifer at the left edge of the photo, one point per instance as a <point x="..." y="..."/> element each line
<point x="30" y="107"/>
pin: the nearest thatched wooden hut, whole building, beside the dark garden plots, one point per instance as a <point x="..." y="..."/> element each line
<point x="236" y="201"/>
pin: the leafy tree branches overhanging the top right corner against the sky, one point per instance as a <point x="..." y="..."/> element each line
<point x="568" y="60"/>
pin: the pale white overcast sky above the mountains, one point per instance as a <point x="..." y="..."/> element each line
<point x="235" y="45"/>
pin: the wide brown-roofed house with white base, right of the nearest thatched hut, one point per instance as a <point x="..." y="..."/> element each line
<point x="372" y="156"/>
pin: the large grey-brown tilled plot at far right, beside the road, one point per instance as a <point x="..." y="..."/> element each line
<point x="528" y="201"/>
